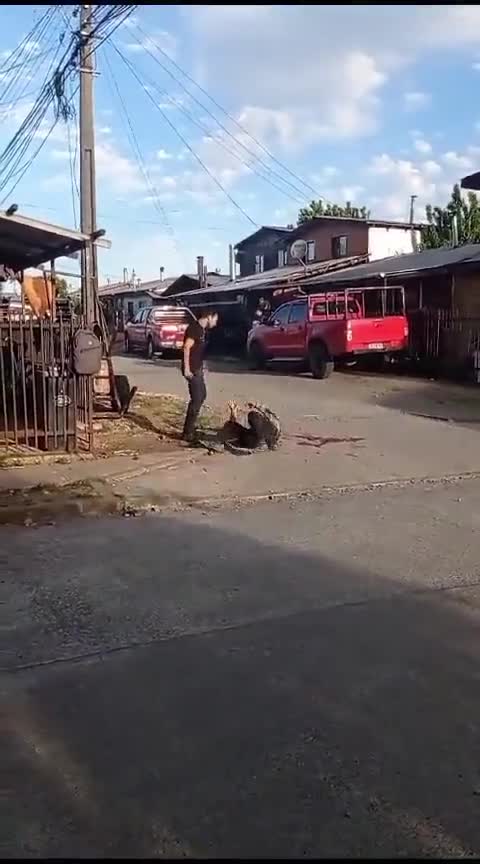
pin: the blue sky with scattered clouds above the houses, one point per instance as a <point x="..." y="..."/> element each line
<point x="369" y="104"/>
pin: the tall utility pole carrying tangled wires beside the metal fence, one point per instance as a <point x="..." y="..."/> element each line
<point x="88" y="204"/>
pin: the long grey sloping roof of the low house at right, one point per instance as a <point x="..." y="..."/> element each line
<point x="408" y="265"/>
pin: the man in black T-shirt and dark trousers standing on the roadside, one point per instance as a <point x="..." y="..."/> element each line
<point x="193" y="368"/>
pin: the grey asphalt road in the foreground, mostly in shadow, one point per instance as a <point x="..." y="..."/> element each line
<point x="295" y="679"/>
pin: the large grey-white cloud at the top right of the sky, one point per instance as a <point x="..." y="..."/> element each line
<point x="332" y="86"/>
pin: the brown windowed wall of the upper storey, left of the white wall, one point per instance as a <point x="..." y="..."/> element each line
<point x="323" y="234"/>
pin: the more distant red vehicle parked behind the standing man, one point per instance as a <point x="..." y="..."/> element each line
<point x="157" y="330"/>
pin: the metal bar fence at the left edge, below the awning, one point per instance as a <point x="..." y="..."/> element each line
<point x="43" y="403"/>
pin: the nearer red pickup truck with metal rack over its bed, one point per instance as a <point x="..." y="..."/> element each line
<point x="340" y="325"/>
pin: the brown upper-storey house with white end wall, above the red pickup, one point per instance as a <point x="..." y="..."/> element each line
<point x="329" y="237"/>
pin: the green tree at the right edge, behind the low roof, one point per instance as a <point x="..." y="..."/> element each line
<point x="441" y="229"/>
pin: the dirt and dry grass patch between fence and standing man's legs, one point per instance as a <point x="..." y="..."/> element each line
<point x="153" y="424"/>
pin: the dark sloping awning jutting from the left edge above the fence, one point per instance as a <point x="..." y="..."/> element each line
<point x="26" y="242"/>
